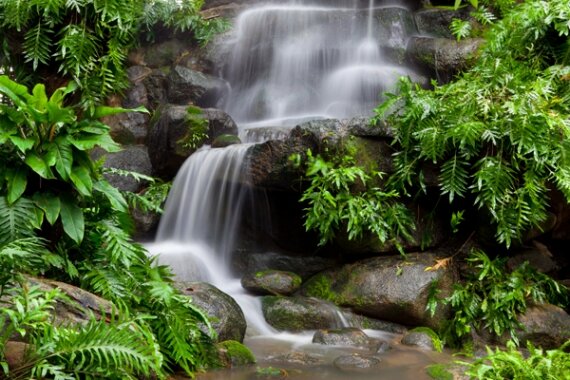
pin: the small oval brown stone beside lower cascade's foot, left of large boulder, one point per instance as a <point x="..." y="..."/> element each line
<point x="272" y="282"/>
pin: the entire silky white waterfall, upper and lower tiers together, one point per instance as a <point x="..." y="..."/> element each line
<point x="289" y="62"/>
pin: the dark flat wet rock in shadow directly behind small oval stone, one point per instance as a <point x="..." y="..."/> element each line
<point x="304" y="266"/>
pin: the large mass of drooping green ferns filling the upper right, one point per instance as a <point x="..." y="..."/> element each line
<point x="500" y="132"/>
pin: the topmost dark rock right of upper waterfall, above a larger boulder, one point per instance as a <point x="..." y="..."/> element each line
<point x="436" y="21"/>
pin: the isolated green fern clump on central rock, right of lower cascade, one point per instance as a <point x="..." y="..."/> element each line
<point x="344" y="197"/>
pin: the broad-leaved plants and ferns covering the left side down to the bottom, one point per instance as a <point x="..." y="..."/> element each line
<point x="59" y="216"/>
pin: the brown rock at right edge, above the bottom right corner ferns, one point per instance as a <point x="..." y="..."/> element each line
<point x="545" y="326"/>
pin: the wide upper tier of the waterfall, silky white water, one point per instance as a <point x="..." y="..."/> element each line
<point x="290" y="61"/>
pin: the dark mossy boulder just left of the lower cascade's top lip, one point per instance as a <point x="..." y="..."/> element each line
<point x="172" y="125"/>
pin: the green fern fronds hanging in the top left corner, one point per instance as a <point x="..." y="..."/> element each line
<point x="87" y="41"/>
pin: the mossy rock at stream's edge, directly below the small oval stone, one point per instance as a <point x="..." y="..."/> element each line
<point x="299" y="313"/>
